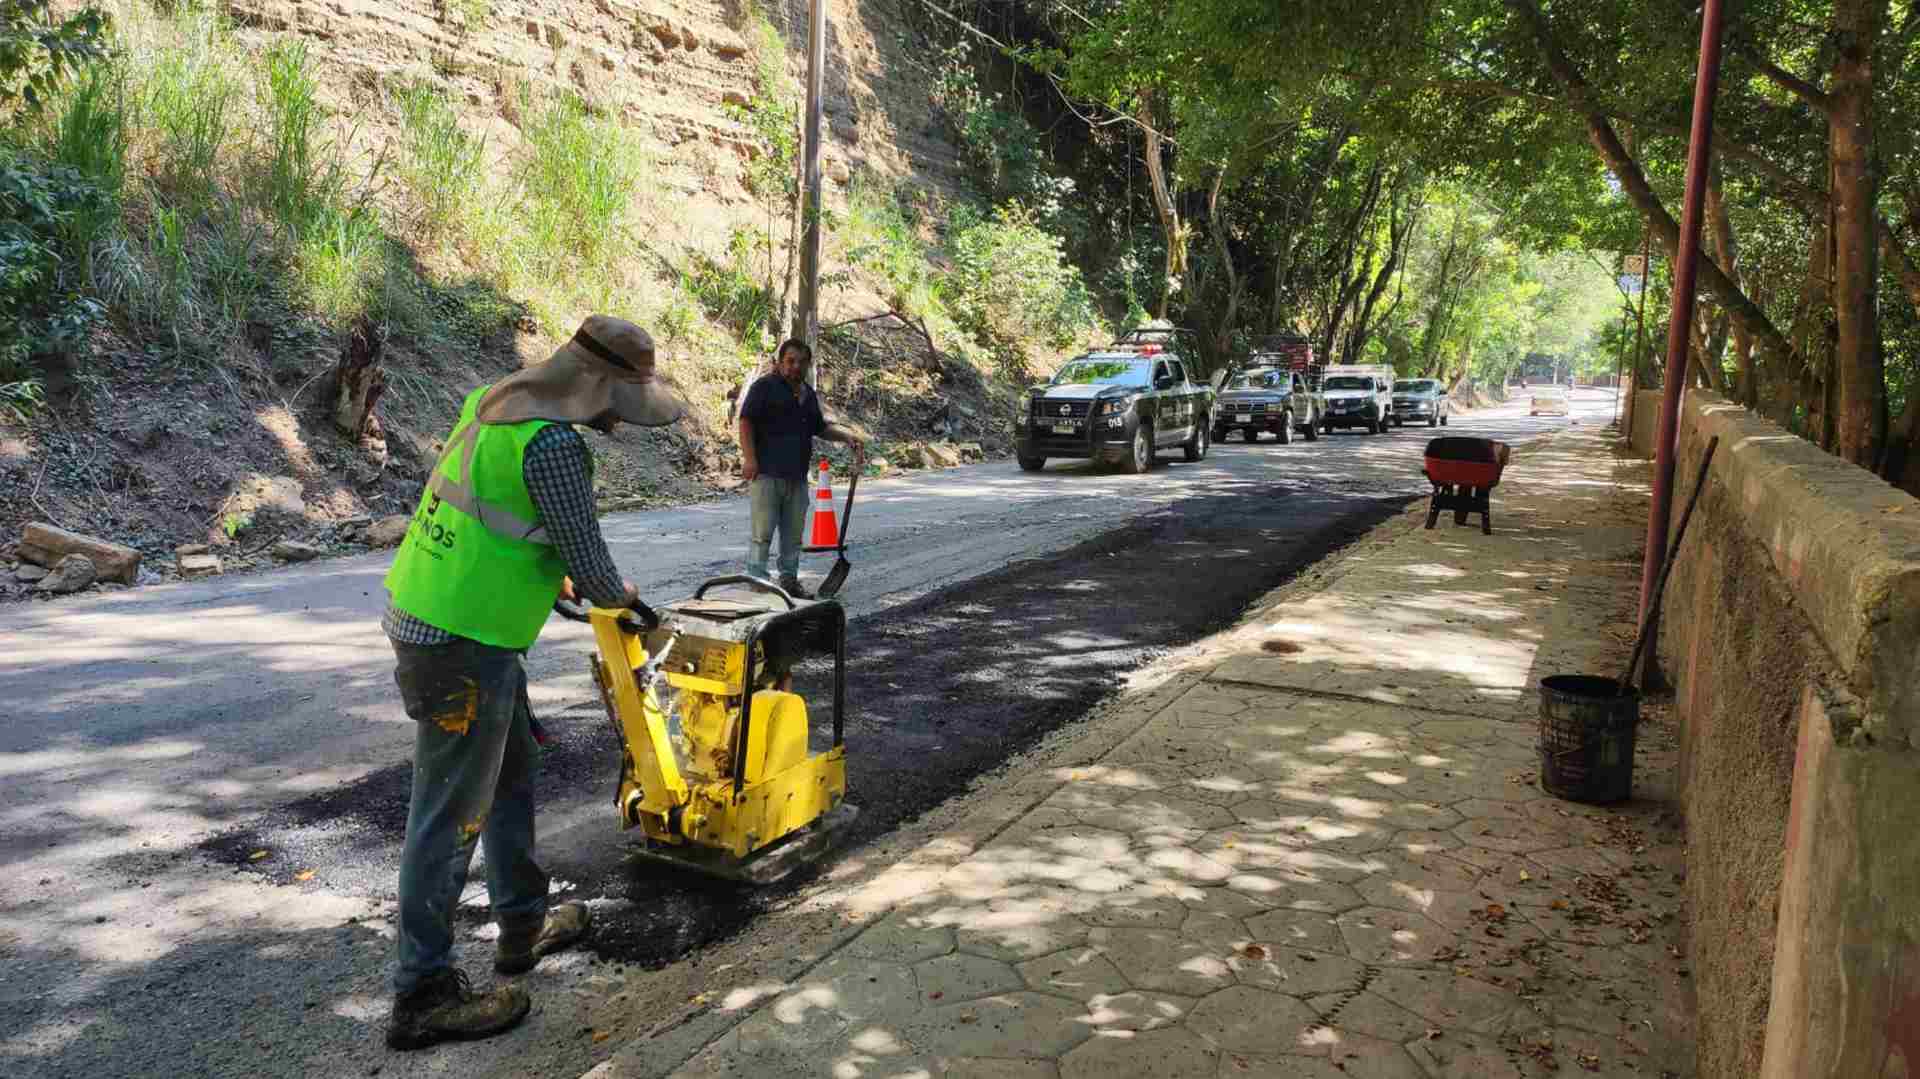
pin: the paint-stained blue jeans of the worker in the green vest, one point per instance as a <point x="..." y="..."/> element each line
<point x="473" y="782"/>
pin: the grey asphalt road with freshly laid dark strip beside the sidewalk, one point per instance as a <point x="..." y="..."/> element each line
<point x="204" y="784"/>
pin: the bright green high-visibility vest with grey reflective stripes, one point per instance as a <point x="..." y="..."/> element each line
<point x="477" y="562"/>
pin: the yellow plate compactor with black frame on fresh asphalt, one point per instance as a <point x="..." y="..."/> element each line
<point x="717" y="771"/>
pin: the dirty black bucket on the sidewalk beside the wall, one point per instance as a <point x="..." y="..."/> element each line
<point x="1587" y="738"/>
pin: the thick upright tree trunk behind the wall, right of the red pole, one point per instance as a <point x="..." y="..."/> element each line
<point x="1860" y="383"/>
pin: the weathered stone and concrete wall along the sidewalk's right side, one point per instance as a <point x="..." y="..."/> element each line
<point x="1792" y="635"/>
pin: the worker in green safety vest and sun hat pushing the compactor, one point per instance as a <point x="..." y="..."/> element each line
<point x="504" y="529"/>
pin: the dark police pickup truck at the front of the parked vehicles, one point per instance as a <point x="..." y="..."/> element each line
<point x="1120" y="406"/>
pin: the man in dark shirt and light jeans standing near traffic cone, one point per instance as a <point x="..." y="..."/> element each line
<point x="779" y="423"/>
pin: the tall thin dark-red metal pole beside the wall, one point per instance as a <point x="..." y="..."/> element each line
<point x="1687" y="266"/>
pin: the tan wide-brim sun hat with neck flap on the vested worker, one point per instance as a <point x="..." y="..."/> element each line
<point x="604" y="370"/>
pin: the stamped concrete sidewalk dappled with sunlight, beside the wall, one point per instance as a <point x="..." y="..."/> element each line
<point x="1316" y="853"/>
